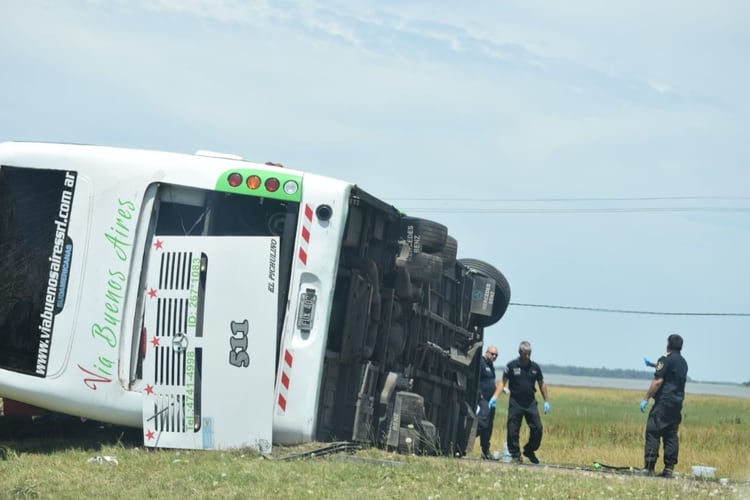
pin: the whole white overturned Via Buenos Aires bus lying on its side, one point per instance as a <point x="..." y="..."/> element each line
<point x="218" y="303"/>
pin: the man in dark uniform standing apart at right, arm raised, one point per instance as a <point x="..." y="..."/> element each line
<point x="668" y="390"/>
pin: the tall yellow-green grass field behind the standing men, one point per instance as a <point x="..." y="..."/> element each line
<point x="606" y="425"/>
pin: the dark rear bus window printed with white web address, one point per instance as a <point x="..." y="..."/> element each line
<point x="35" y="253"/>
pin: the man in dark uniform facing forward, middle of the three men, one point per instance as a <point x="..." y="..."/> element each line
<point x="522" y="375"/>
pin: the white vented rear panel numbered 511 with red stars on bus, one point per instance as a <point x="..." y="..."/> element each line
<point x="209" y="336"/>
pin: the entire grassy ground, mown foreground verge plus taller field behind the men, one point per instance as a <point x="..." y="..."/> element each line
<point x="585" y="425"/>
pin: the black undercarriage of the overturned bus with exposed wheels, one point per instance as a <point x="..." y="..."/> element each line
<point x="402" y="360"/>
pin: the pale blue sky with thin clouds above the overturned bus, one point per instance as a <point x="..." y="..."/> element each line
<point x="596" y="153"/>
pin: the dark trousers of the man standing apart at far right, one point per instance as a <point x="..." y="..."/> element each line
<point x="663" y="424"/>
